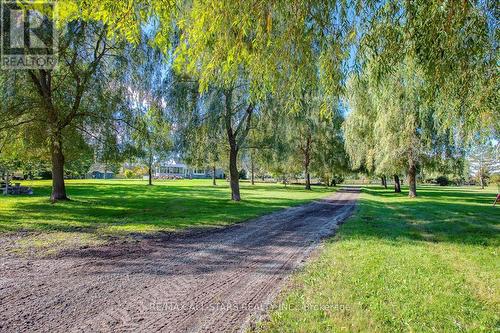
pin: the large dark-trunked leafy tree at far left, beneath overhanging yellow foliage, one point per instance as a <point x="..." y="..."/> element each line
<point x="67" y="100"/>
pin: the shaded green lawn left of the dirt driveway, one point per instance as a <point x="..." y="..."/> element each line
<point x="120" y="207"/>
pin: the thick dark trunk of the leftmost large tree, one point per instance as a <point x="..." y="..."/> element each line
<point x="58" y="186"/>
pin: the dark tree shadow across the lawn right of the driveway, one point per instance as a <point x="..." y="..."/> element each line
<point x="438" y="215"/>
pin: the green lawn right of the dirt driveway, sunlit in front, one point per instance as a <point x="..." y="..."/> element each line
<point x="400" y="265"/>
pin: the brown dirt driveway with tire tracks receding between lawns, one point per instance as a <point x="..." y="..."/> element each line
<point x="215" y="281"/>
